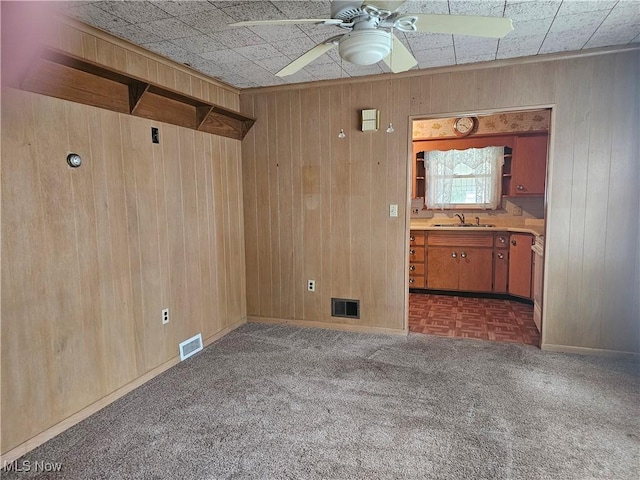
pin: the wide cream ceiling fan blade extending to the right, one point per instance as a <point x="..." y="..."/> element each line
<point x="492" y="27"/>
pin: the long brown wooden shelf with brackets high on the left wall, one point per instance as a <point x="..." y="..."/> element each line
<point x="61" y="75"/>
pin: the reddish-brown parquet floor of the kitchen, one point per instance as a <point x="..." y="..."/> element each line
<point x="482" y="318"/>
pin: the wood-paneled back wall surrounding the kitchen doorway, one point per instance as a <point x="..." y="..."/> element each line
<point x="317" y="207"/>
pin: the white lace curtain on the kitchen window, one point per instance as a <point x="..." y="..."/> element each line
<point x="464" y="178"/>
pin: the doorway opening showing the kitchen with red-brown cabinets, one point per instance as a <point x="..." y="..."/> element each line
<point x="474" y="268"/>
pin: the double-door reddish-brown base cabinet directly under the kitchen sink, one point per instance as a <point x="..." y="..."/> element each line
<point x="460" y="261"/>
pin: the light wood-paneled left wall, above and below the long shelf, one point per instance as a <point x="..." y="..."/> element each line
<point x="90" y="256"/>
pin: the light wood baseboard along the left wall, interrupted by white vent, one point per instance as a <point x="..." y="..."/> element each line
<point x="25" y="447"/>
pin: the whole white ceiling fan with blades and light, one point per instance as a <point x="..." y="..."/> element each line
<point x="370" y="36"/>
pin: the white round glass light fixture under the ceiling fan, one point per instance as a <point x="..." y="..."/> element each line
<point x="365" y="47"/>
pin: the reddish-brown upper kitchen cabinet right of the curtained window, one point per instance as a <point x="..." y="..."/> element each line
<point x="525" y="172"/>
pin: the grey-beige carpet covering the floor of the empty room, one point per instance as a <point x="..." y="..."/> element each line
<point x="277" y="402"/>
